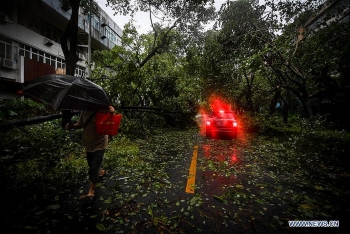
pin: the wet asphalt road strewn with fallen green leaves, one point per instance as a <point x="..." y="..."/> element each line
<point x="229" y="195"/>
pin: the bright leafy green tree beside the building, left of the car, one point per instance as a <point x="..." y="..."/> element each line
<point x="155" y="83"/>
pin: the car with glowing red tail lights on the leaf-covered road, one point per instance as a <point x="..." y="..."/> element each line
<point x="221" y="122"/>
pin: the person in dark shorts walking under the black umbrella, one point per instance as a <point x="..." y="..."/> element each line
<point x="95" y="146"/>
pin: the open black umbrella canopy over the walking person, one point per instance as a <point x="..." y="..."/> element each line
<point x="64" y="92"/>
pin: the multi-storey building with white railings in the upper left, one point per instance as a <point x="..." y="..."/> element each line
<point x="30" y="32"/>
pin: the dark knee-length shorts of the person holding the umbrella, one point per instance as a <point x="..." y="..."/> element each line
<point x="94" y="160"/>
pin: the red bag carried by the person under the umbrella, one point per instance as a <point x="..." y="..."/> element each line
<point x="107" y="123"/>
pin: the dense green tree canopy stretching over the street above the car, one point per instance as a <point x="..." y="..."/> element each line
<point x="261" y="57"/>
